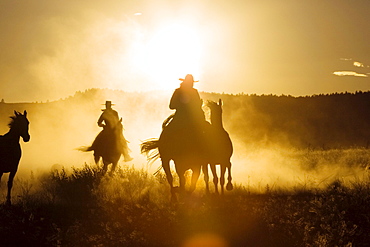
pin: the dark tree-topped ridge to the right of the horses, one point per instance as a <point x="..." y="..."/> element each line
<point x="339" y="120"/>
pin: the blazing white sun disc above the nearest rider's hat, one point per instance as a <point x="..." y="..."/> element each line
<point x="171" y="52"/>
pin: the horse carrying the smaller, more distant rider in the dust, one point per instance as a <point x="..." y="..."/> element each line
<point x="108" y="145"/>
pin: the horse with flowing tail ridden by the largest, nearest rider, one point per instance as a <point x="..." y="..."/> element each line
<point x="184" y="145"/>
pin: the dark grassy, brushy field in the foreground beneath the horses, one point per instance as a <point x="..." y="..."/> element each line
<point x="80" y="207"/>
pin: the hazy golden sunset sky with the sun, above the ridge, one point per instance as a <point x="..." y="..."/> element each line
<point x="49" y="49"/>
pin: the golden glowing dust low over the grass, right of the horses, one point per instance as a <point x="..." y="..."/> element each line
<point x="288" y="169"/>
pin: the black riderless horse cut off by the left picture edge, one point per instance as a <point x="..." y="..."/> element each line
<point x="10" y="149"/>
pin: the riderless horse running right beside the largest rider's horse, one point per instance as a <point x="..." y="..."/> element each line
<point x="220" y="149"/>
